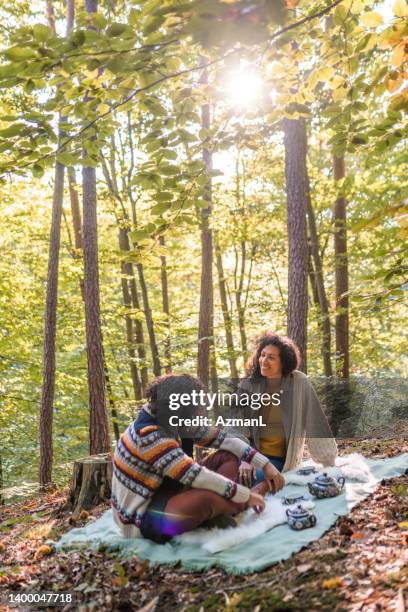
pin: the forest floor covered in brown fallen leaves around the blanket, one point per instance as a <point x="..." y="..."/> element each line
<point x="359" y="564"/>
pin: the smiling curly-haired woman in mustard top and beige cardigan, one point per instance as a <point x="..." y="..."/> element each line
<point x="292" y="417"/>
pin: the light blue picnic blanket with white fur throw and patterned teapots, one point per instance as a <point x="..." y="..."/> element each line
<point x="259" y="540"/>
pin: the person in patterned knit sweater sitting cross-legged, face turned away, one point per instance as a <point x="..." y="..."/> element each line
<point x="158" y="490"/>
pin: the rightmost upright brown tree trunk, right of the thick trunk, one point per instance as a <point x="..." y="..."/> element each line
<point x="341" y="272"/>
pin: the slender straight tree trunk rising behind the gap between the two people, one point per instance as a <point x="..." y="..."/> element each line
<point x="205" y="323"/>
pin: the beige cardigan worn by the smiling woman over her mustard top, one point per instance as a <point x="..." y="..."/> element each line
<point x="306" y="423"/>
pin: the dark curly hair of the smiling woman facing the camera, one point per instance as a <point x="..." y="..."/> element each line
<point x="288" y="351"/>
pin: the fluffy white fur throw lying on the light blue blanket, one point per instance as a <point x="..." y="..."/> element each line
<point x="352" y="467"/>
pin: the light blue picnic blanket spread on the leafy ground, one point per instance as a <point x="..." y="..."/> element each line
<point x="252" y="555"/>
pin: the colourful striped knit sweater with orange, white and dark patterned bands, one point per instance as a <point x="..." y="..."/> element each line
<point x="144" y="456"/>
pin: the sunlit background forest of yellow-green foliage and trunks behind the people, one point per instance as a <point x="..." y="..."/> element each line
<point x="247" y="165"/>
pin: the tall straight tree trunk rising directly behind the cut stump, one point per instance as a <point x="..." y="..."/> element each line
<point x="99" y="437"/>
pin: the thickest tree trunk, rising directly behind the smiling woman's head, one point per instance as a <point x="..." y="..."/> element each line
<point x="297" y="191"/>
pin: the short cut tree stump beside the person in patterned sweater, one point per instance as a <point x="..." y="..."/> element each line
<point x="91" y="482"/>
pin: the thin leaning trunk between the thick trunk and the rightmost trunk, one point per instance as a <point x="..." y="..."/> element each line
<point x="321" y="290"/>
